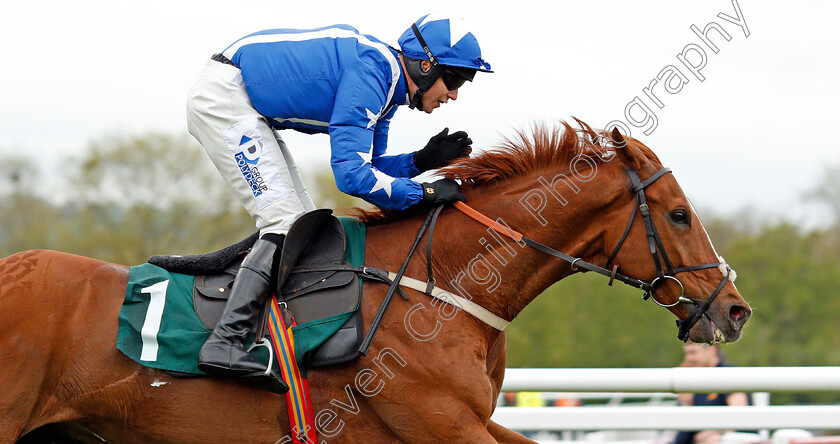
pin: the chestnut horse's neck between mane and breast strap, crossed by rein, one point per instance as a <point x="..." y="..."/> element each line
<point x="500" y="274"/>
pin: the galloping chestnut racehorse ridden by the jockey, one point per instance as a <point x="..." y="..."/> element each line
<point x="433" y="373"/>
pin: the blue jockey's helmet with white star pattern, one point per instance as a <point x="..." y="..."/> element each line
<point x="450" y="47"/>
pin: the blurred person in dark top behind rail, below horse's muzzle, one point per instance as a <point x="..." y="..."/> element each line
<point x="701" y="355"/>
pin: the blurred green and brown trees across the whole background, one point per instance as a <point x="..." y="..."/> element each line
<point x="128" y="198"/>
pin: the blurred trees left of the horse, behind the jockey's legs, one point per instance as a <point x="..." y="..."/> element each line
<point x="130" y="197"/>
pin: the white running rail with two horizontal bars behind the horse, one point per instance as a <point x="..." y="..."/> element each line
<point x="672" y="380"/>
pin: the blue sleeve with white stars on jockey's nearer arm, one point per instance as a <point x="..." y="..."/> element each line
<point x="359" y="103"/>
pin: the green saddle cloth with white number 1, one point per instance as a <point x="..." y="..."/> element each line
<point x="158" y="327"/>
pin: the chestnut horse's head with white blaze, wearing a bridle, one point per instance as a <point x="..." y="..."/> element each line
<point x="665" y="245"/>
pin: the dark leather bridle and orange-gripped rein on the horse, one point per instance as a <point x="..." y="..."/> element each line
<point x="664" y="269"/>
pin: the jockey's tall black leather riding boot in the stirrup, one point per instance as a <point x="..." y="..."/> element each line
<point x="223" y="353"/>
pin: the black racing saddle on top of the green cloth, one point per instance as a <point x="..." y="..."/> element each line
<point x="314" y="283"/>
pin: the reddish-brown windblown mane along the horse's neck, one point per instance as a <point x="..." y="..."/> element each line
<point x="546" y="148"/>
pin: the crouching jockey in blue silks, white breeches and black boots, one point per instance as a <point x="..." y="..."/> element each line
<point x="330" y="80"/>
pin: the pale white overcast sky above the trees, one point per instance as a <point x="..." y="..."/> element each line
<point x="757" y="131"/>
